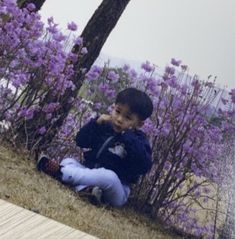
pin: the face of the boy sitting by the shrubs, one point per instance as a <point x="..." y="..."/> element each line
<point x="123" y="119"/>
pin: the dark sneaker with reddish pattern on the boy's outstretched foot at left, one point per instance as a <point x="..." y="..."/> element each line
<point x="49" y="166"/>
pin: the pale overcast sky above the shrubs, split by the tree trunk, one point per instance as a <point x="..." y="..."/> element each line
<point x="199" y="32"/>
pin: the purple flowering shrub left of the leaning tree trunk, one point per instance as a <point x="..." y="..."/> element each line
<point x="34" y="63"/>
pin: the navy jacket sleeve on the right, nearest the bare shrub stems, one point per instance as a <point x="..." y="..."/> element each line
<point x="139" y="153"/>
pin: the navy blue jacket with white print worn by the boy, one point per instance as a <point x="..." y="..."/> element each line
<point x="128" y="154"/>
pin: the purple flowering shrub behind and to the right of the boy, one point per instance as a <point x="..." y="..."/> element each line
<point x="188" y="131"/>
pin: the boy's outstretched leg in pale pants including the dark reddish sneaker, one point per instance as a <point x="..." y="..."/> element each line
<point x="70" y="171"/>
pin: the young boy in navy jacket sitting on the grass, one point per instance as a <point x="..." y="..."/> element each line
<point x="118" y="154"/>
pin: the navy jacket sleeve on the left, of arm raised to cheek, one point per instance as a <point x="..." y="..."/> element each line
<point x="88" y="135"/>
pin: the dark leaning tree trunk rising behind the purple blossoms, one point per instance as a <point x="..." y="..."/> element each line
<point x="94" y="36"/>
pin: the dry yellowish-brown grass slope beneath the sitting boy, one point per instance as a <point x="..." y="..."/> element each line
<point x="22" y="184"/>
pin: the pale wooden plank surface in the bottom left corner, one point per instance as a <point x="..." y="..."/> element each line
<point x="19" y="223"/>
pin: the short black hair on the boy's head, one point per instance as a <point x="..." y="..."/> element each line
<point x="138" y="102"/>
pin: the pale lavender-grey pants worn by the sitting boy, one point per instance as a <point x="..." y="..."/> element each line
<point x="114" y="192"/>
